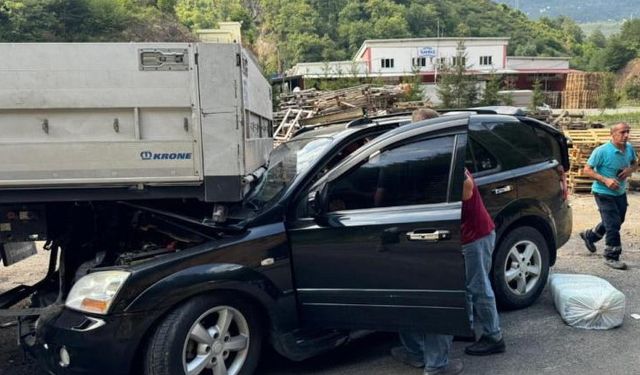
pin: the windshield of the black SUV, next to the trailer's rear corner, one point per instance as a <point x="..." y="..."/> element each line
<point x="285" y="162"/>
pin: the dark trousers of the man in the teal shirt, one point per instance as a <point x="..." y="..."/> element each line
<point x="613" y="209"/>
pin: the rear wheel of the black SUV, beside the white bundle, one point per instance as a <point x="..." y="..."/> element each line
<point x="520" y="268"/>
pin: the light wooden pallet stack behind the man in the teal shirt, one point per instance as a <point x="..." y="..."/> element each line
<point x="583" y="143"/>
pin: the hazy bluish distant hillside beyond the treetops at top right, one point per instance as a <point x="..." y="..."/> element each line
<point x="579" y="10"/>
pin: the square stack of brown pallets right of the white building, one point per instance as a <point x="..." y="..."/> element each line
<point x="582" y="90"/>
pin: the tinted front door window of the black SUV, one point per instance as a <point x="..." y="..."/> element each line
<point x="409" y="174"/>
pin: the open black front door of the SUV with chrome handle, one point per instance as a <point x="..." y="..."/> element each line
<point x="384" y="250"/>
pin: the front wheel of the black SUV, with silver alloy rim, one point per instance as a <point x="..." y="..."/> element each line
<point x="206" y="335"/>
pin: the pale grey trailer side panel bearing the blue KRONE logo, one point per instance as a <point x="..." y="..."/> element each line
<point x="94" y="115"/>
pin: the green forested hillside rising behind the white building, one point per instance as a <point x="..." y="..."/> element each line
<point x="284" y="32"/>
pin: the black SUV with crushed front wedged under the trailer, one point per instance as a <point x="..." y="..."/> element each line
<point x="350" y="227"/>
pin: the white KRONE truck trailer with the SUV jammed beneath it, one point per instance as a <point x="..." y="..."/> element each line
<point x="84" y="128"/>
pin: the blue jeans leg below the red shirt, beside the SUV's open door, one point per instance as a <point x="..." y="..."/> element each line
<point x="483" y="313"/>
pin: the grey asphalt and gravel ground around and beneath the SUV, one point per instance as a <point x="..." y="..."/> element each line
<point x="538" y="342"/>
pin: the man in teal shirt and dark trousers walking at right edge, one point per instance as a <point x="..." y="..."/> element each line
<point x="610" y="165"/>
